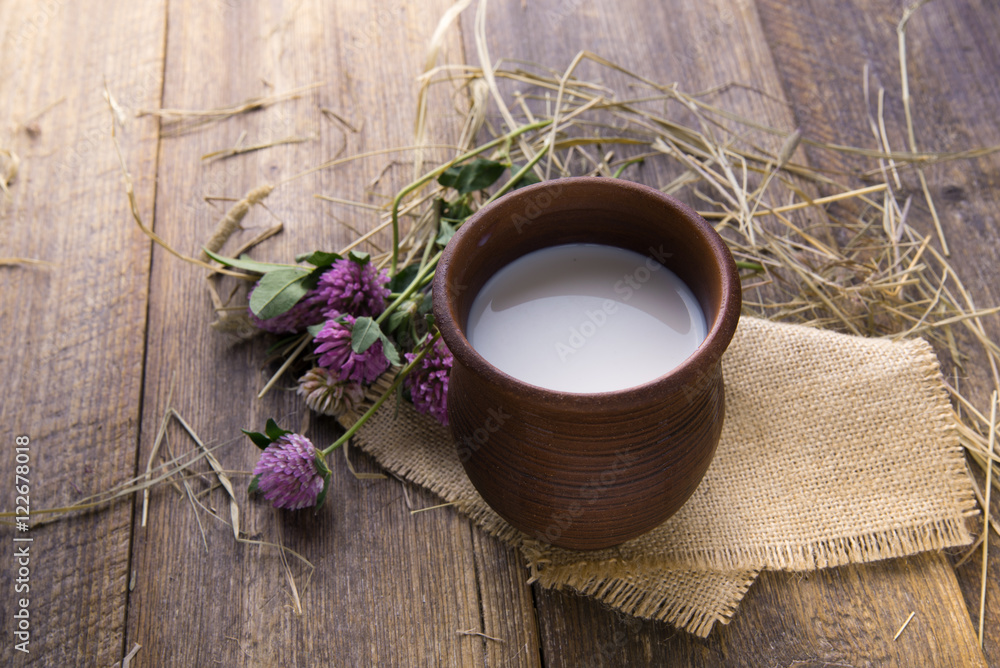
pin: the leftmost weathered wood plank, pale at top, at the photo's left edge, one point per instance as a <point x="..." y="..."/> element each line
<point x="73" y="330"/>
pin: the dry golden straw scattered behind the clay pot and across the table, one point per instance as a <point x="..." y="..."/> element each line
<point x="818" y="248"/>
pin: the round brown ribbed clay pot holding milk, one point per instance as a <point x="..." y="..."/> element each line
<point x="586" y="471"/>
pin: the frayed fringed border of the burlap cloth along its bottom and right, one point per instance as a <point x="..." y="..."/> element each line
<point x="614" y="580"/>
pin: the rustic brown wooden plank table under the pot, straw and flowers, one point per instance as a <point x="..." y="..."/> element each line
<point x="94" y="341"/>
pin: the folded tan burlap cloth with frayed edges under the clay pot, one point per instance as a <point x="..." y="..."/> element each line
<point x="835" y="450"/>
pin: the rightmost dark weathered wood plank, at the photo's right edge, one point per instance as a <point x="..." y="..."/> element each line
<point x="954" y="68"/>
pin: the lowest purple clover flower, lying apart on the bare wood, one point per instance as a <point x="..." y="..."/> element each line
<point x="289" y="476"/>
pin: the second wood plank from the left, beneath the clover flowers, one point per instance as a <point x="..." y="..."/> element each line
<point x="388" y="588"/>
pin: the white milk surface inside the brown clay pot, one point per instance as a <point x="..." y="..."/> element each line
<point x="586" y="318"/>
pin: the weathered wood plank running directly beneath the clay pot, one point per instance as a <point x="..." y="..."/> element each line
<point x="702" y="45"/>
